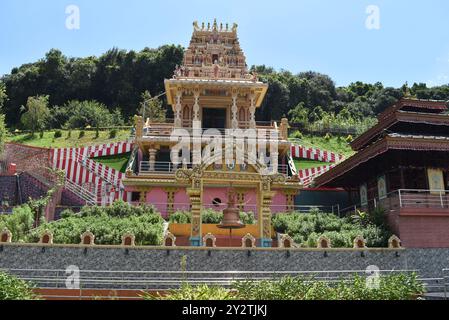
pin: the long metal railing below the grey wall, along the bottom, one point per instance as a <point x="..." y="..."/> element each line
<point x="162" y="279"/>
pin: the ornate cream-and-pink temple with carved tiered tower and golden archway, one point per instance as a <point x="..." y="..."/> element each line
<point x="214" y="99"/>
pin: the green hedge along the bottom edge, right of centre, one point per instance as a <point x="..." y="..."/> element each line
<point x="390" y="287"/>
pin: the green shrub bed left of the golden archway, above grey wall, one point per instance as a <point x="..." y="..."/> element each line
<point x="108" y="224"/>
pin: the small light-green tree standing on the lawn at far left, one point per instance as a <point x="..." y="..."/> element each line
<point x="37" y="113"/>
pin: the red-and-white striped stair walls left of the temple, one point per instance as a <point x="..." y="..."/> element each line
<point x="83" y="171"/>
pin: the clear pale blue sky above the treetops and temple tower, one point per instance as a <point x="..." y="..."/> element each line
<point x="327" y="36"/>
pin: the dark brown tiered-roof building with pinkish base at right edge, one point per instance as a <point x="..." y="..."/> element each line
<point x="402" y="166"/>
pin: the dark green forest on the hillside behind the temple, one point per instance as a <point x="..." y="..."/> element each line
<point x="68" y="91"/>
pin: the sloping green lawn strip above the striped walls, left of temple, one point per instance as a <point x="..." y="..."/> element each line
<point x="49" y="141"/>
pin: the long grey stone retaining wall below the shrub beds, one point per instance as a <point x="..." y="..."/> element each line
<point x="429" y="262"/>
